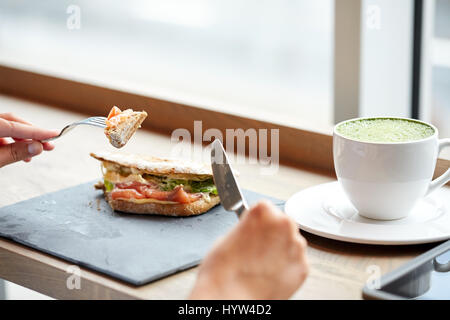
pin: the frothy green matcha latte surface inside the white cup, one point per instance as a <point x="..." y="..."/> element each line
<point x="385" y="130"/>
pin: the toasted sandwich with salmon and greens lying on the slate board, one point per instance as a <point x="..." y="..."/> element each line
<point x="151" y="185"/>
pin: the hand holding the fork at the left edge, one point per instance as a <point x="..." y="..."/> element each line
<point x="20" y="140"/>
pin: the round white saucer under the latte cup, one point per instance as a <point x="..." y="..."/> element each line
<point x="325" y="211"/>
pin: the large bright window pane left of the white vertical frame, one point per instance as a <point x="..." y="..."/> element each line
<point x="264" y="59"/>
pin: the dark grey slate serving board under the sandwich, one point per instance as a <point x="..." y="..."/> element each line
<point x="76" y="224"/>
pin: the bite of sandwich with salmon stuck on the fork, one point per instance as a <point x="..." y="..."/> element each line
<point x="121" y="125"/>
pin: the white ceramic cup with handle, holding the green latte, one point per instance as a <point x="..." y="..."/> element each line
<point x="385" y="180"/>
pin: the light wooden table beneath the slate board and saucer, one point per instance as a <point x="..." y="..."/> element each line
<point x="338" y="269"/>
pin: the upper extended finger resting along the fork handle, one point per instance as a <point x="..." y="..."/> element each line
<point x="23" y="131"/>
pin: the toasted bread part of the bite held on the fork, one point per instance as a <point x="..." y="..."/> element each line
<point x="119" y="135"/>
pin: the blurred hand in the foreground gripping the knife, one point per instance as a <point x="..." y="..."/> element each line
<point x="263" y="257"/>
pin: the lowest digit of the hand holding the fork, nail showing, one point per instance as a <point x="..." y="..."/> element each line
<point x="18" y="151"/>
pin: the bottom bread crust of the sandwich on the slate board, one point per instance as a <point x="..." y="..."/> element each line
<point x="177" y="210"/>
